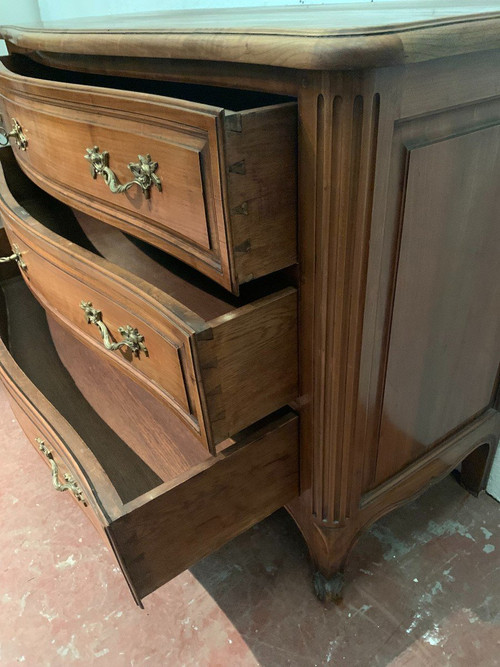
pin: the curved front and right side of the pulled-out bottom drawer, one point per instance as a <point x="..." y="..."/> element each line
<point x="156" y="526"/>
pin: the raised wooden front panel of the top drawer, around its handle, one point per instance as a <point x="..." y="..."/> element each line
<point x="182" y="157"/>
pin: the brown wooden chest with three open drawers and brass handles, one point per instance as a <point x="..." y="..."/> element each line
<point x="224" y="223"/>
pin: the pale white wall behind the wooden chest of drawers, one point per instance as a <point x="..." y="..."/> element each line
<point x="25" y="11"/>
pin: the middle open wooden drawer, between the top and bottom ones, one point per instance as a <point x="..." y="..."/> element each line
<point x="219" y="363"/>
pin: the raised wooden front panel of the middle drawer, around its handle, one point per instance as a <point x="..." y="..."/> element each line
<point x="61" y="287"/>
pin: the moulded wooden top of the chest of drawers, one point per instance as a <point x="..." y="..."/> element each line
<point x="304" y="36"/>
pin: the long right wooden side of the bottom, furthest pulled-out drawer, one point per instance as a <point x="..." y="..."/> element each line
<point x="221" y="499"/>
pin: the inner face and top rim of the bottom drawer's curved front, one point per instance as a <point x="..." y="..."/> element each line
<point x="40" y="386"/>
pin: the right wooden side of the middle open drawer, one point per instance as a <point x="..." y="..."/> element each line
<point x="250" y="363"/>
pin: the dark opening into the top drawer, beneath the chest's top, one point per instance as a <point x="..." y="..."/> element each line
<point x="232" y="99"/>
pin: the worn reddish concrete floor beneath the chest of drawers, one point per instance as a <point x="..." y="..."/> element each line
<point x="422" y="588"/>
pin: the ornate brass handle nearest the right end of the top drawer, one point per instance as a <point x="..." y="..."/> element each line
<point x="144" y="172"/>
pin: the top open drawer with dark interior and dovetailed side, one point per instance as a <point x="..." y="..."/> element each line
<point x="211" y="184"/>
